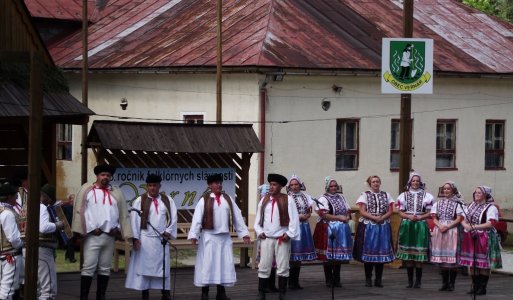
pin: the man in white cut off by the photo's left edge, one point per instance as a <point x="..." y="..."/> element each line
<point x="10" y="242"/>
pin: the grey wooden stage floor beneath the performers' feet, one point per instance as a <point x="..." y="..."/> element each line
<point x="312" y="280"/>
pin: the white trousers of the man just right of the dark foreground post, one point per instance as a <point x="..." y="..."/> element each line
<point x="47" y="276"/>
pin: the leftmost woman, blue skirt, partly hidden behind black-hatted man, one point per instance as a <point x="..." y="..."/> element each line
<point x="302" y="250"/>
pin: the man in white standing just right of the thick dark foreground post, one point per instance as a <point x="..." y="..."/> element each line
<point x="48" y="242"/>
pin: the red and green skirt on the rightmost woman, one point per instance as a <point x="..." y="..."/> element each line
<point x="486" y="248"/>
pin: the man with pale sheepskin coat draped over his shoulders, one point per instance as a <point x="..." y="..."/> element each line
<point x="100" y="216"/>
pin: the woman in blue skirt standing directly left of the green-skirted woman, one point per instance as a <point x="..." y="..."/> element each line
<point x="373" y="240"/>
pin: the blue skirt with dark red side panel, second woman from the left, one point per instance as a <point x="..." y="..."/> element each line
<point x="337" y="248"/>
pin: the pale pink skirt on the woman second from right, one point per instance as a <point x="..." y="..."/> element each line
<point x="445" y="246"/>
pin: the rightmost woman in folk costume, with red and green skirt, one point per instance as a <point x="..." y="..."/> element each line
<point x="481" y="239"/>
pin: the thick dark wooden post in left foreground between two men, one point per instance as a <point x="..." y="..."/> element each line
<point x="34" y="176"/>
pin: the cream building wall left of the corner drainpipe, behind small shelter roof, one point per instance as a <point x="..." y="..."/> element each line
<point x="160" y="98"/>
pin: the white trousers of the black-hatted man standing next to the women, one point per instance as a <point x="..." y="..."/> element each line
<point x="270" y="248"/>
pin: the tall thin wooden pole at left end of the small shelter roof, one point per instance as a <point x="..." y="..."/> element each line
<point x="85" y="71"/>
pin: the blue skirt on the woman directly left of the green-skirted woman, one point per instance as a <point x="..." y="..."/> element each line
<point x="373" y="243"/>
